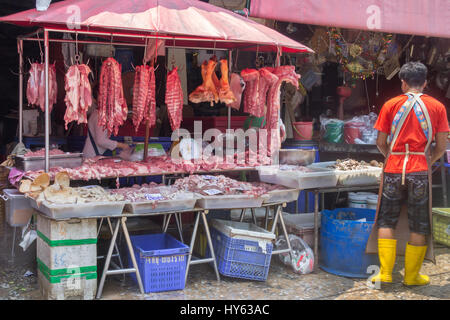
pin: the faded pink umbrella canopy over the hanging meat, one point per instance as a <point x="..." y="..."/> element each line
<point x="192" y="19"/>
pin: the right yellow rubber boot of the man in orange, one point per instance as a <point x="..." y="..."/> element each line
<point x="414" y="256"/>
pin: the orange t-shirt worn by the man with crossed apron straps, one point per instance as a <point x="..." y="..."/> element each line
<point x="411" y="132"/>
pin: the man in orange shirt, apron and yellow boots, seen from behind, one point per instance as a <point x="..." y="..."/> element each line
<point x="406" y="126"/>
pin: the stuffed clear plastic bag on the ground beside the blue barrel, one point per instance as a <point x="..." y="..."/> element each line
<point x="302" y="258"/>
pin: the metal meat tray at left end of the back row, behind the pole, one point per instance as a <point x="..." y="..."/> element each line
<point x="67" y="160"/>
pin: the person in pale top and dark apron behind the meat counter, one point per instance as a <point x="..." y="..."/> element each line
<point x="98" y="140"/>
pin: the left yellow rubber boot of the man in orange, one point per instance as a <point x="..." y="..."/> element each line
<point x="386" y="253"/>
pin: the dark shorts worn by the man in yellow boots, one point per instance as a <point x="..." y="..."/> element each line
<point x="416" y="194"/>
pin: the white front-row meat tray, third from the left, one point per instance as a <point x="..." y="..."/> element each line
<point x="229" y="202"/>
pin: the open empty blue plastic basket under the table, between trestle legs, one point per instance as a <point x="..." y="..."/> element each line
<point x="161" y="261"/>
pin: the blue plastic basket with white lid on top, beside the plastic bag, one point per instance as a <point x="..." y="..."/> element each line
<point x="240" y="258"/>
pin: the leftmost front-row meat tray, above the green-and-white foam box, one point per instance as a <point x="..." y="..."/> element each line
<point x="80" y="210"/>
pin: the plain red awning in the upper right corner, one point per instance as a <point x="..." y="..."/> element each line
<point x="415" y="17"/>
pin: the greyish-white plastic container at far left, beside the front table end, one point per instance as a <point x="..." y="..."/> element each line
<point x="17" y="208"/>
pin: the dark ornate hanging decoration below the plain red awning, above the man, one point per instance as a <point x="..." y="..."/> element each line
<point x="360" y="59"/>
